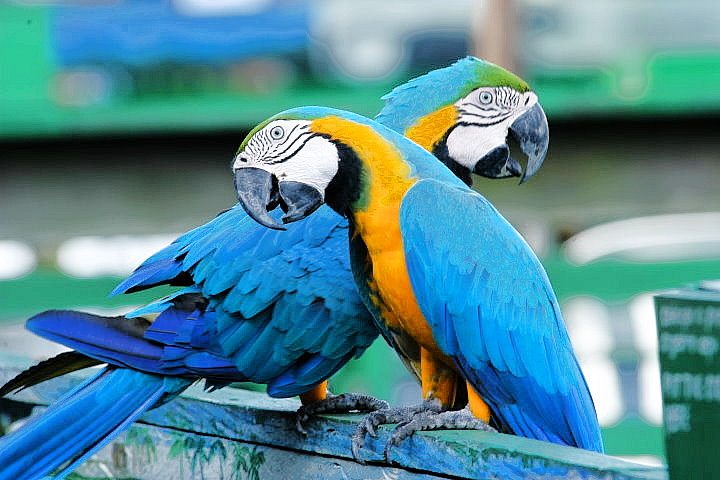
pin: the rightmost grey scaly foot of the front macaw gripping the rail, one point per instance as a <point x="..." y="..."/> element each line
<point x="429" y="420"/>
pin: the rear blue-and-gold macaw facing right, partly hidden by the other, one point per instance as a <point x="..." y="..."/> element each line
<point x="278" y="308"/>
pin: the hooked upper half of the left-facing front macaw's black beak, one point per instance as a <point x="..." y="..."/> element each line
<point x="258" y="192"/>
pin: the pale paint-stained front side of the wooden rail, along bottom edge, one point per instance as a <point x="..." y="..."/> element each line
<point x="163" y="453"/>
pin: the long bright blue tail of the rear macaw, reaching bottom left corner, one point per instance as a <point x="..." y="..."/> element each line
<point x="82" y="422"/>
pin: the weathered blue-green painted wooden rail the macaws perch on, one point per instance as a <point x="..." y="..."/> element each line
<point x="239" y="434"/>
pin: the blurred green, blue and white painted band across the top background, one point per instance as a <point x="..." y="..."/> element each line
<point x="94" y="67"/>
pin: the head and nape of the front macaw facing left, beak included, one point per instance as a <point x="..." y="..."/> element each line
<point x="307" y="156"/>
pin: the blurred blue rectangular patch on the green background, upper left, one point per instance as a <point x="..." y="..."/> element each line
<point x="167" y="49"/>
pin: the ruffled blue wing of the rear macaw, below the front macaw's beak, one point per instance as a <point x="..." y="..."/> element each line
<point x="286" y="307"/>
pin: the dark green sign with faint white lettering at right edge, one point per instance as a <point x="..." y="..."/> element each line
<point x="689" y="335"/>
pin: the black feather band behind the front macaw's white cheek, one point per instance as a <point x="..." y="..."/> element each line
<point x="346" y="186"/>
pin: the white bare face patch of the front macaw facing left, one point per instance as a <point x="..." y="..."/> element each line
<point x="292" y="152"/>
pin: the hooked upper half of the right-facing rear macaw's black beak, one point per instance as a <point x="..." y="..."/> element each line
<point x="532" y="133"/>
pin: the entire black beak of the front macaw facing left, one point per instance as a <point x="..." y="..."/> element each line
<point x="260" y="192"/>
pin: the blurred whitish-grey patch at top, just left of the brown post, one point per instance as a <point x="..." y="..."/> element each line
<point x="387" y="40"/>
